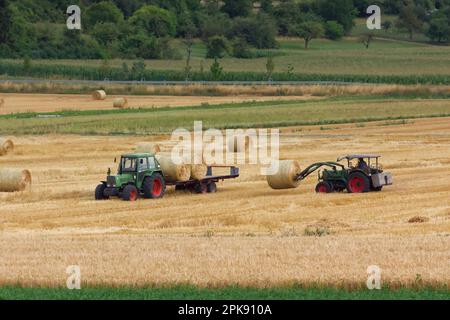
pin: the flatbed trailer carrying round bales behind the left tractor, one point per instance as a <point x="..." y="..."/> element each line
<point x="209" y="183"/>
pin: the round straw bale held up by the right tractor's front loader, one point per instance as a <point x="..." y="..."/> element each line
<point x="285" y="178"/>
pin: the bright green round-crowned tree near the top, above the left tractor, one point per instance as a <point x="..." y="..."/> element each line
<point x="154" y="21"/>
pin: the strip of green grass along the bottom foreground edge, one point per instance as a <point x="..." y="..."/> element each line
<point x="228" y="293"/>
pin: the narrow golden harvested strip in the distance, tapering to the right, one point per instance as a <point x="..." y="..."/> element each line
<point x="15" y="103"/>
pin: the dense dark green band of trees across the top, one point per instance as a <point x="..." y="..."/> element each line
<point x="146" y="28"/>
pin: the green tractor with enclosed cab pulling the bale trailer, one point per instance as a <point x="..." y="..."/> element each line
<point x="138" y="174"/>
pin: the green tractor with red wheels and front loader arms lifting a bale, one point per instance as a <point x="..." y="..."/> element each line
<point x="367" y="175"/>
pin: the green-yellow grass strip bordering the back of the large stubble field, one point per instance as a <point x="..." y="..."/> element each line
<point x="225" y="116"/>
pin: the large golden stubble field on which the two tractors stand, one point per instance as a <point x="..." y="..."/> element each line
<point x="244" y="234"/>
